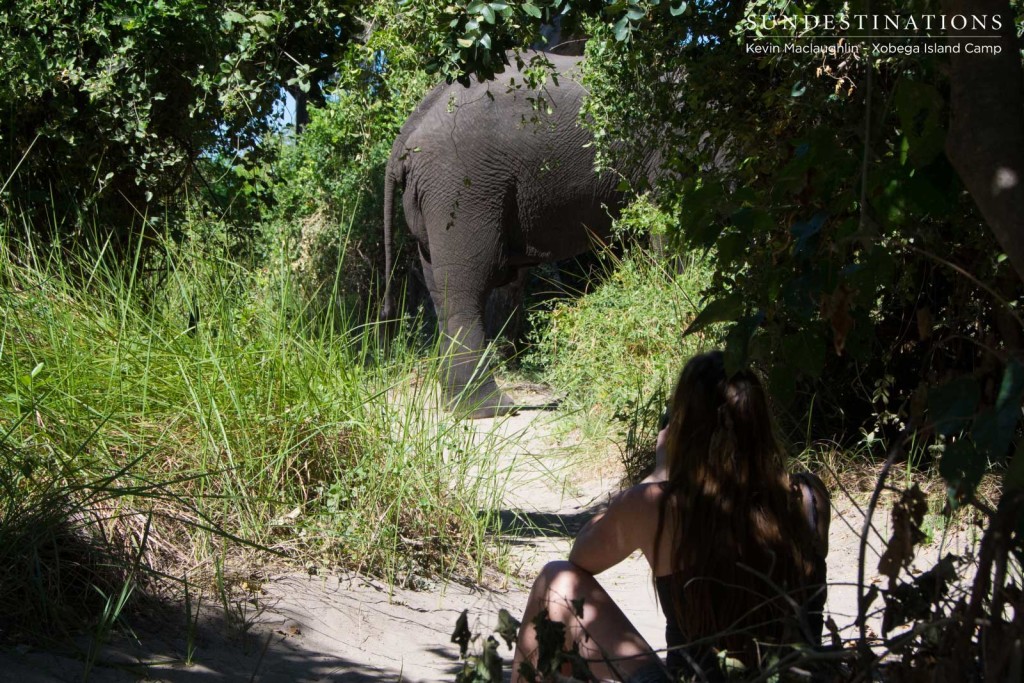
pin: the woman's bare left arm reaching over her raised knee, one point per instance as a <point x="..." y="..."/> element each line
<point x="611" y="537"/>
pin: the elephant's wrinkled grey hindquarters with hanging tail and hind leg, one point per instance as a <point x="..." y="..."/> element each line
<point x="492" y="187"/>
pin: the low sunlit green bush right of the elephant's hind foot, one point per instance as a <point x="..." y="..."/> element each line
<point x="616" y="353"/>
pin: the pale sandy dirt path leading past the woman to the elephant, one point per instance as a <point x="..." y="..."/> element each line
<point x="348" y="628"/>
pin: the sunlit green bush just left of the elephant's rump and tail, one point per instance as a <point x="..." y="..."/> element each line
<point x="329" y="189"/>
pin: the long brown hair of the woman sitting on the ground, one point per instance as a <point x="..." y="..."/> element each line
<point x="740" y="536"/>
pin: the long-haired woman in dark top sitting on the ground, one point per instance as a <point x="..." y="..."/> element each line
<point x="737" y="546"/>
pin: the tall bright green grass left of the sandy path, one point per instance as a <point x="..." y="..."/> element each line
<point x="149" y="414"/>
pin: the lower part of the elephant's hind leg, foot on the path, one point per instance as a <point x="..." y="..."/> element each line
<point x="459" y="300"/>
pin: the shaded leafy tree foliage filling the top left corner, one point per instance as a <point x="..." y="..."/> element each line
<point x="108" y="107"/>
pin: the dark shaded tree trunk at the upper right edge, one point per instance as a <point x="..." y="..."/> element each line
<point x="986" y="144"/>
